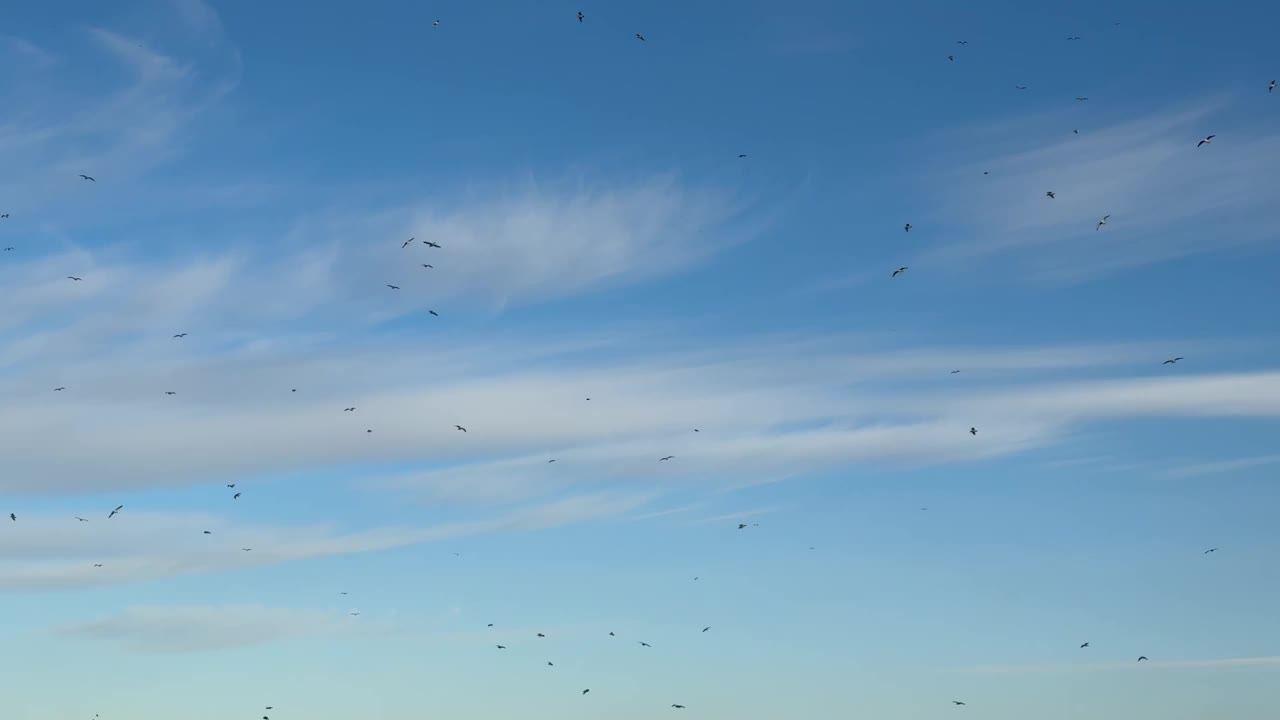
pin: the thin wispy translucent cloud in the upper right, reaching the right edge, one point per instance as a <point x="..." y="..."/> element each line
<point x="1167" y="198"/>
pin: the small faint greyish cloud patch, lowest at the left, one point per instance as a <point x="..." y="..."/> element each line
<point x="208" y="628"/>
